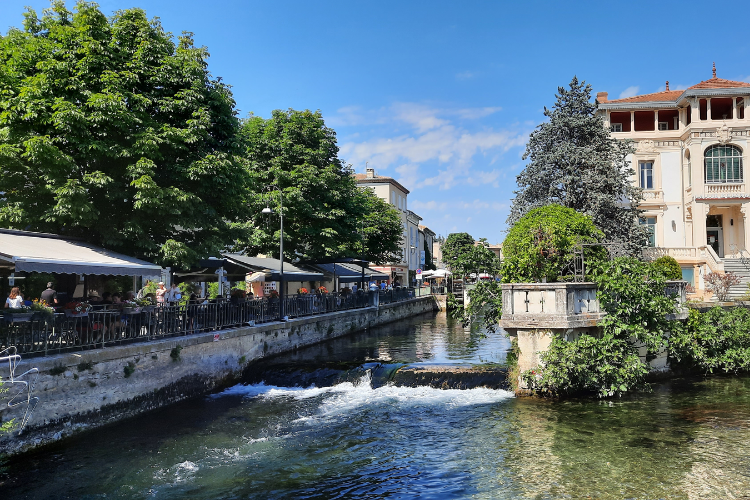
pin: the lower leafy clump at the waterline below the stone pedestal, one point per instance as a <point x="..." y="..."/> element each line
<point x="606" y="366"/>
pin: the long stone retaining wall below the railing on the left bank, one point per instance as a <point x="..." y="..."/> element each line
<point x="88" y="389"/>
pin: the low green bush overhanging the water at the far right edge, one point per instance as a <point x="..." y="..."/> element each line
<point x="717" y="341"/>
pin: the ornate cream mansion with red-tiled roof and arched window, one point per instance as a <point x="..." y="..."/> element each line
<point x="691" y="147"/>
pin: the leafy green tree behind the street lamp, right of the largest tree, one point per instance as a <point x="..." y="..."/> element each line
<point x="294" y="155"/>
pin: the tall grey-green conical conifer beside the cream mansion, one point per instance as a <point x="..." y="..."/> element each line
<point x="575" y="163"/>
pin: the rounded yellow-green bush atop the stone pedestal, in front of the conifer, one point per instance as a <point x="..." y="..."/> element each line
<point x="540" y="245"/>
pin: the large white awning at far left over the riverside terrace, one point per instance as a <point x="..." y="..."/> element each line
<point x="48" y="253"/>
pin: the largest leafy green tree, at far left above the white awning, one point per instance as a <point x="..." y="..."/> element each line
<point x="112" y="131"/>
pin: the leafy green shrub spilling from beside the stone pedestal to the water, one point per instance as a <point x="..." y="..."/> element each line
<point x="632" y="294"/>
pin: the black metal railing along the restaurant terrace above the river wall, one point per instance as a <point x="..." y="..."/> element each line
<point x="41" y="334"/>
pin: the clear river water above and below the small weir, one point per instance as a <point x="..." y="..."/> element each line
<point x="356" y="439"/>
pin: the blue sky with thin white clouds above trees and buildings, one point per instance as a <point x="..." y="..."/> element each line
<point x="443" y="95"/>
